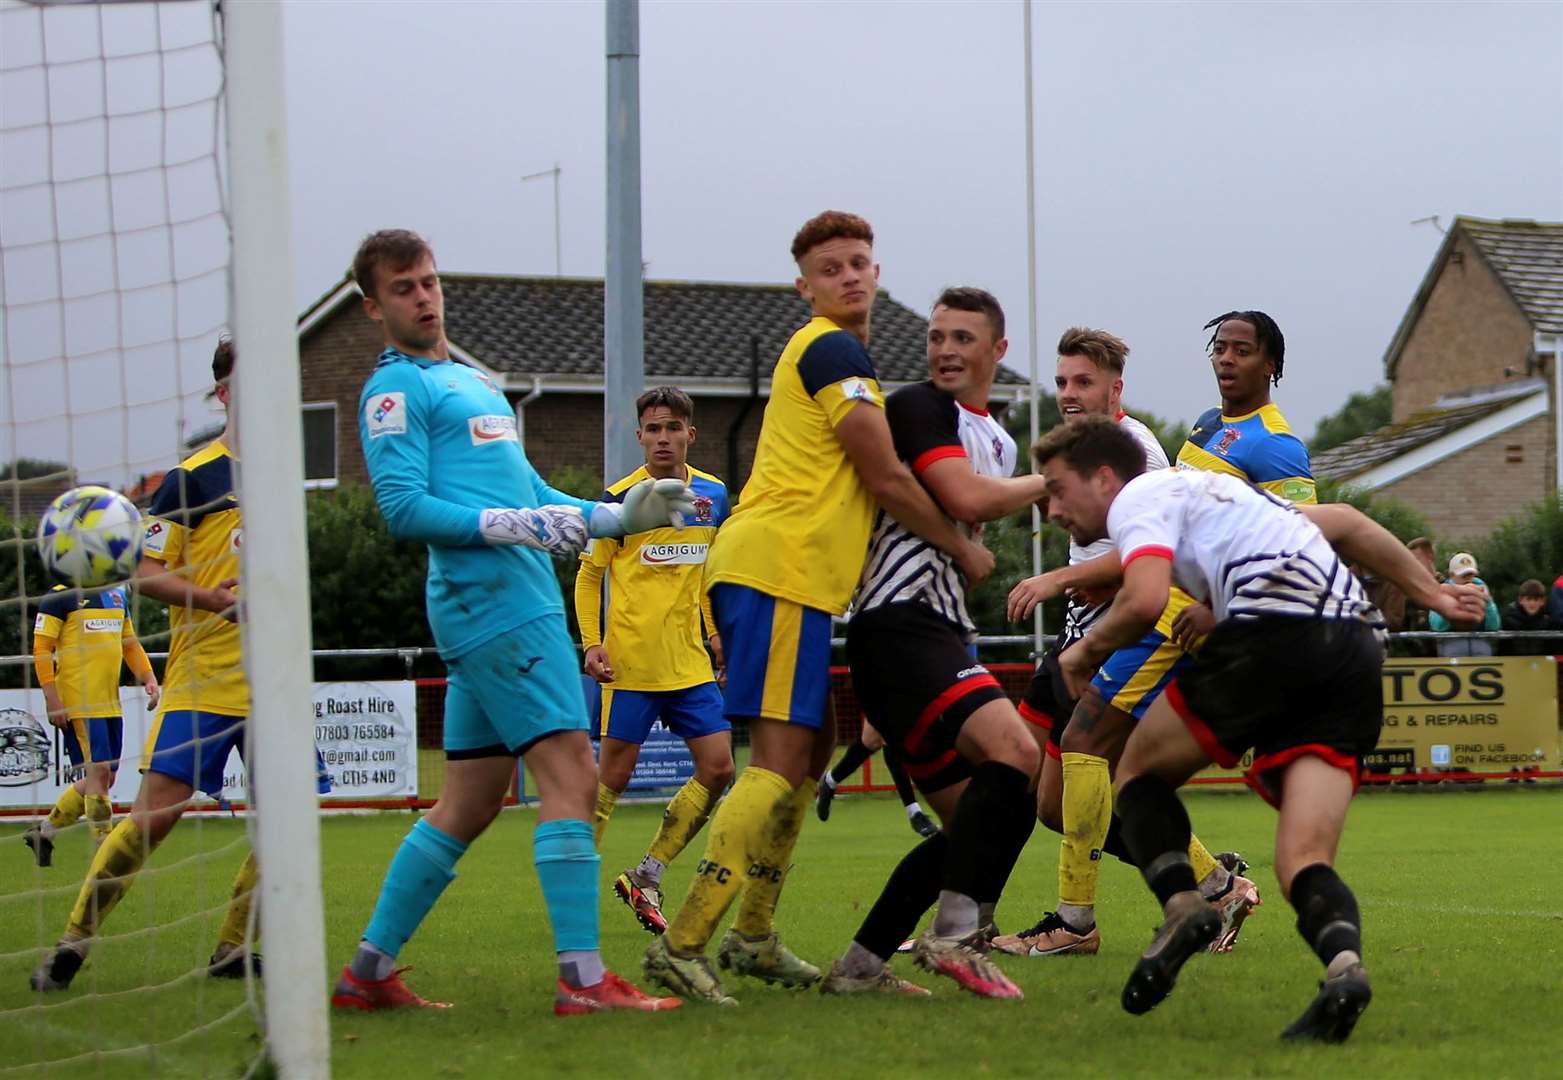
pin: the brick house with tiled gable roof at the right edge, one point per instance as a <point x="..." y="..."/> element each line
<point x="1473" y="376"/>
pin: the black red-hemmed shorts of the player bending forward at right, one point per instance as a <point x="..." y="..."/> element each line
<point x="1286" y="688"/>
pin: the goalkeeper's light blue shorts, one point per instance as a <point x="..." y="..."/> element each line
<point x="513" y="690"/>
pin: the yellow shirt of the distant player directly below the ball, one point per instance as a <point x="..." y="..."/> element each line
<point x="90" y="635"/>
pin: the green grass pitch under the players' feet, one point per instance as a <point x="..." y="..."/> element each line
<point x="1461" y="896"/>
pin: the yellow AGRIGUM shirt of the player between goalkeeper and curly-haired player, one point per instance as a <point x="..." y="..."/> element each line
<point x="649" y="587"/>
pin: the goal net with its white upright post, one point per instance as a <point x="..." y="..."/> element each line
<point x="143" y="220"/>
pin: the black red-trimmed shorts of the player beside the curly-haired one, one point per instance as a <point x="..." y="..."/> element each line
<point x="918" y="682"/>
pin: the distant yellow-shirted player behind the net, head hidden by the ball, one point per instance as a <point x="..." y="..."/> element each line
<point x="79" y="643"/>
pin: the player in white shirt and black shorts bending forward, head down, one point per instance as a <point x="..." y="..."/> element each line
<point x="1292" y="671"/>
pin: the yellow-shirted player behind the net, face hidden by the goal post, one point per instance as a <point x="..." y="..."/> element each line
<point x="191" y="563"/>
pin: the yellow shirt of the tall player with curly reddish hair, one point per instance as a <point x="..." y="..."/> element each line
<point x="803" y="524"/>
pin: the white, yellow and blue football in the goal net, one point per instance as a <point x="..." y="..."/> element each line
<point x="91" y="537"/>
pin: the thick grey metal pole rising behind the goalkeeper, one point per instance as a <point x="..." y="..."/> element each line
<point x="624" y="329"/>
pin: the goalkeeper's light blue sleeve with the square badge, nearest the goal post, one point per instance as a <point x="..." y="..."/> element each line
<point x="399" y="462"/>
